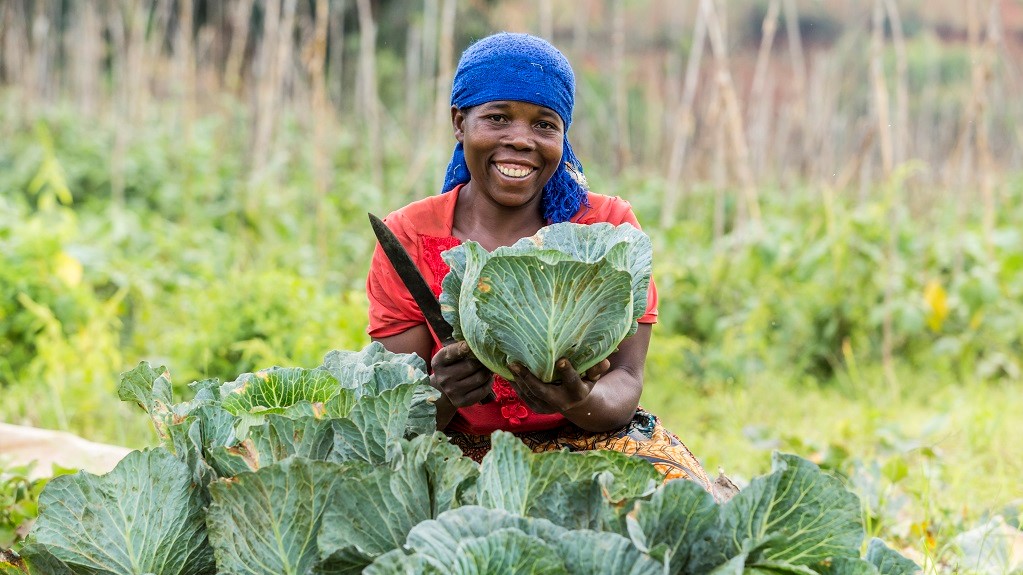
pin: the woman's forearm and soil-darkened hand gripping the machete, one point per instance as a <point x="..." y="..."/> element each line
<point x="455" y="372"/>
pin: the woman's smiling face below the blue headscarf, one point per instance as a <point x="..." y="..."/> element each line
<point x="512" y="149"/>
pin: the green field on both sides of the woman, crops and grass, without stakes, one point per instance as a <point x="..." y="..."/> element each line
<point x="769" y="339"/>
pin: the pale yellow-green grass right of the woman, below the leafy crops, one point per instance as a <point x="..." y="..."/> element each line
<point x="930" y="459"/>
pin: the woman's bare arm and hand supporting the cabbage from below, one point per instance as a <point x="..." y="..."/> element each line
<point x="599" y="405"/>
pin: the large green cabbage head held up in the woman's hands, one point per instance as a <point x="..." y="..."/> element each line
<point x="571" y="291"/>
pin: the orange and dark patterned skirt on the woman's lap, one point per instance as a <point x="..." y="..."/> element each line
<point x="644" y="437"/>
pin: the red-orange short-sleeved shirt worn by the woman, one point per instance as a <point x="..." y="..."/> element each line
<point x="424" y="228"/>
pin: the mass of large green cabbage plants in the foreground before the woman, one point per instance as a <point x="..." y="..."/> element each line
<point x="334" y="471"/>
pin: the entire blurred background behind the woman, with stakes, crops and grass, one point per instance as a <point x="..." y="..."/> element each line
<point x="833" y="189"/>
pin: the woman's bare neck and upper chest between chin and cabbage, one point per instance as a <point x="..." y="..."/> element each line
<point x="494" y="226"/>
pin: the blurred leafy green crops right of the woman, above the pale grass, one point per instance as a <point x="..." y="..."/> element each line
<point x="810" y="293"/>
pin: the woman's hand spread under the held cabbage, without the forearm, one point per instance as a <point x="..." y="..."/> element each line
<point x="559" y="396"/>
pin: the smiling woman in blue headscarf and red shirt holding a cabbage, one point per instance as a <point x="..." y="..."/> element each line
<point x="514" y="172"/>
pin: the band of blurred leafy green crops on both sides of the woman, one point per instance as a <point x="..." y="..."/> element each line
<point x="198" y="266"/>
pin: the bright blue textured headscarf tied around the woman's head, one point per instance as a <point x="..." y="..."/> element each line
<point x="522" y="68"/>
